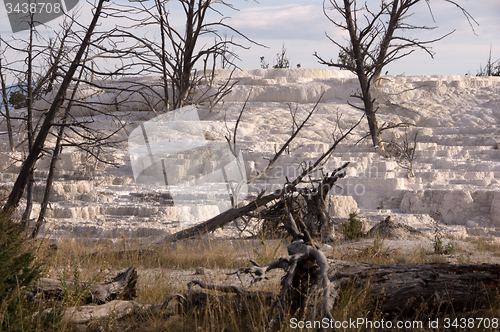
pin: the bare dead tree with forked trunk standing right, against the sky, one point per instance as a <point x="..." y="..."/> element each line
<point x="375" y="40"/>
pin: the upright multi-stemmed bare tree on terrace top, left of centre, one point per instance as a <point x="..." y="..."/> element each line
<point x="178" y="51"/>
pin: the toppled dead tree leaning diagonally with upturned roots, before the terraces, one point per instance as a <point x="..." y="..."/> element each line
<point x="274" y="206"/>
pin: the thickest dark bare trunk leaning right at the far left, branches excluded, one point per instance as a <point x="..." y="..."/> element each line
<point x="29" y="163"/>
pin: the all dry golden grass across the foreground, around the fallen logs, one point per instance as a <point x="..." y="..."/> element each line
<point x="165" y="270"/>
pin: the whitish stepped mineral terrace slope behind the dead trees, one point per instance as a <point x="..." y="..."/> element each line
<point x="457" y="164"/>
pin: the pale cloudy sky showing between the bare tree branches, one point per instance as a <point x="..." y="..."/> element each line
<point x="301" y="26"/>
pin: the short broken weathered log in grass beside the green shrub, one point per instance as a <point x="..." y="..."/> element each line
<point x="121" y="287"/>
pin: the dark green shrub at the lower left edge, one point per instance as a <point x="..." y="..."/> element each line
<point x="18" y="271"/>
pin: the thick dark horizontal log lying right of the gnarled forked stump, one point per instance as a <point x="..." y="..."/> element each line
<point x="399" y="289"/>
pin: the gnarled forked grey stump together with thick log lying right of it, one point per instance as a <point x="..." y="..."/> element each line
<point x="312" y="286"/>
